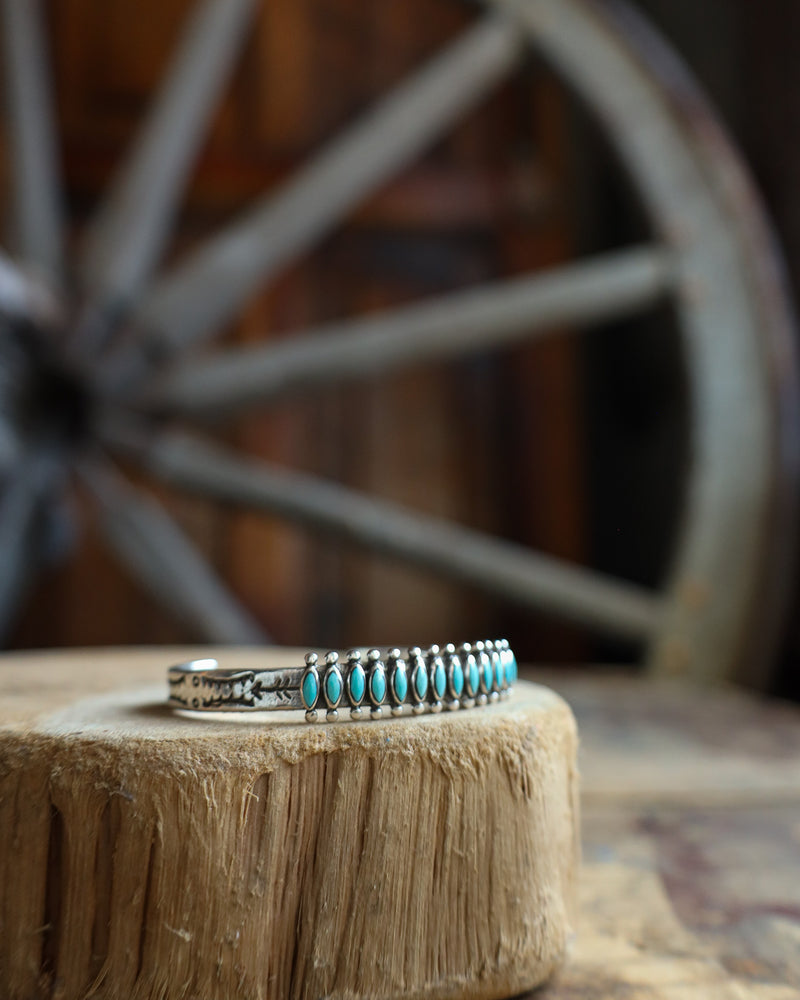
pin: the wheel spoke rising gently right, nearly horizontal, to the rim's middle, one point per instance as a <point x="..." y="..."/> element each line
<point x="585" y="293"/>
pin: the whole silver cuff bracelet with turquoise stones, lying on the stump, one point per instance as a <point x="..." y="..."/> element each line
<point x="367" y="683"/>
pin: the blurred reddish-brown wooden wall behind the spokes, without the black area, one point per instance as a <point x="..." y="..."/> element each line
<point x="493" y="442"/>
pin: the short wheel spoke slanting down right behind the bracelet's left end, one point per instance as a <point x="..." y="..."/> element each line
<point x="164" y="561"/>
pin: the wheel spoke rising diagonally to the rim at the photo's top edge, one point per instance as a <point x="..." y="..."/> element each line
<point x="206" y="291"/>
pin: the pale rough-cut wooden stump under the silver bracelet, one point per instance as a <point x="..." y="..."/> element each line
<point x="147" y="854"/>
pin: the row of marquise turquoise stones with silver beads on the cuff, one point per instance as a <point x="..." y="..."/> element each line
<point x="425" y="680"/>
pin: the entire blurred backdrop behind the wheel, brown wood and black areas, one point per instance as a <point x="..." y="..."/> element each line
<point x="573" y="445"/>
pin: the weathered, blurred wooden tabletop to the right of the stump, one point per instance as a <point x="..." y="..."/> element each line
<point x="691" y="826"/>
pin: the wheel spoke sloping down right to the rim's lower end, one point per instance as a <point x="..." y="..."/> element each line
<point x="501" y="567"/>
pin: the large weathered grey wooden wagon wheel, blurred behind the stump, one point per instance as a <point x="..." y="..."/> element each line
<point x="111" y="341"/>
